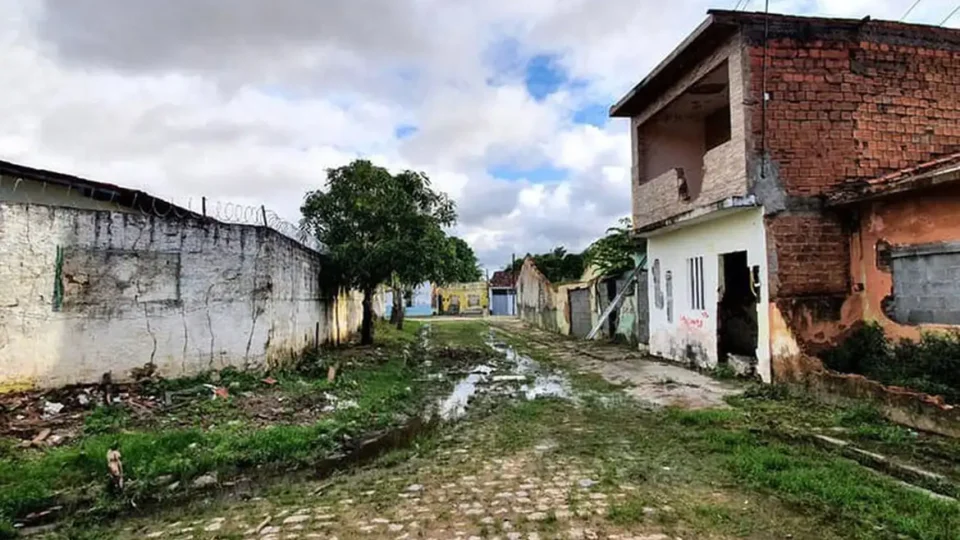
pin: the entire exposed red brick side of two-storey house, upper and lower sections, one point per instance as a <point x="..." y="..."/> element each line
<point x="848" y="103"/>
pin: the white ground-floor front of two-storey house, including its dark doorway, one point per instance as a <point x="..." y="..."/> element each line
<point x="705" y="273"/>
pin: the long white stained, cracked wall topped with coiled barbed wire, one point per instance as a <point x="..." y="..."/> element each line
<point x="87" y="292"/>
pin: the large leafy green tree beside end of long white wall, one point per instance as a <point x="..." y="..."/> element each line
<point x="376" y="227"/>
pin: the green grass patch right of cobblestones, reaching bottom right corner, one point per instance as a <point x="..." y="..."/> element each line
<point x="678" y="451"/>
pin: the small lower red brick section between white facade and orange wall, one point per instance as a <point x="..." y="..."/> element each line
<point x="812" y="254"/>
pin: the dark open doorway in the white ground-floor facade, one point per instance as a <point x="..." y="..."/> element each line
<point x="737" y="309"/>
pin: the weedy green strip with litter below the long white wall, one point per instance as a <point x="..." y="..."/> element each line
<point x="374" y="389"/>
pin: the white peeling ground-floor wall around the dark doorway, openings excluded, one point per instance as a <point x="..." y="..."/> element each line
<point x="688" y="334"/>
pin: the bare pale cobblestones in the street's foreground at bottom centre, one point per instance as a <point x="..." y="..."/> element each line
<point x="529" y="495"/>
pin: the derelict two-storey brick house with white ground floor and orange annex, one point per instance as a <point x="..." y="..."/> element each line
<point x="793" y="176"/>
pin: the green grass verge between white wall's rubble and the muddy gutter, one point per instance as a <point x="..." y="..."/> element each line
<point x="154" y="457"/>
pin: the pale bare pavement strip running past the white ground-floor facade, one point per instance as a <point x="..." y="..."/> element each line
<point x="646" y="379"/>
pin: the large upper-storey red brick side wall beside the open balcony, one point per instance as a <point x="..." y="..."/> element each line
<point x="854" y="104"/>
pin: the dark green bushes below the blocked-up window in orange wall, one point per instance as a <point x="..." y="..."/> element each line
<point x="930" y="365"/>
